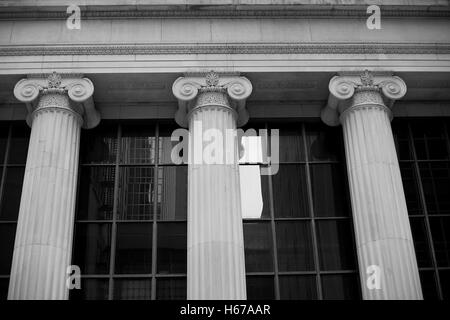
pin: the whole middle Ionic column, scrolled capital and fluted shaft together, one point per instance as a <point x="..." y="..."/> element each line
<point x="212" y="107"/>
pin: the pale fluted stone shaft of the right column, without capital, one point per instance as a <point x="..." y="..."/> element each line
<point x="383" y="233"/>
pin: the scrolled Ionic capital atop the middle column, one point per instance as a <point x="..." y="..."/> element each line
<point x="222" y="89"/>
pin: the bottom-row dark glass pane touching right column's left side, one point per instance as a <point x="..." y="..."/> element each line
<point x="340" y="287"/>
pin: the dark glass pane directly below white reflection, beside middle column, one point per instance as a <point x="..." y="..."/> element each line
<point x="258" y="247"/>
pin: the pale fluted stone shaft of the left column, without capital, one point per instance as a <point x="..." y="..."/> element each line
<point x="42" y="249"/>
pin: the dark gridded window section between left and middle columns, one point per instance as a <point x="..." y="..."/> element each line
<point x="131" y="230"/>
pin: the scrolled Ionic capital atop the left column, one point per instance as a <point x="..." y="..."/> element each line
<point x="75" y="87"/>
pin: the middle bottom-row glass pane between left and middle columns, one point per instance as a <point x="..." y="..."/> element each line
<point x="132" y="289"/>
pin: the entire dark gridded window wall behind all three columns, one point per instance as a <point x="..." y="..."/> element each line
<point x="130" y="232"/>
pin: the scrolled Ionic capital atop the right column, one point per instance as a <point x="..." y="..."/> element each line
<point x="354" y="89"/>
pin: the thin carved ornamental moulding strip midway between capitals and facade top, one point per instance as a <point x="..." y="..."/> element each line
<point x="158" y="49"/>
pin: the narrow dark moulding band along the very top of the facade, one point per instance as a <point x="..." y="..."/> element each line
<point x="286" y="12"/>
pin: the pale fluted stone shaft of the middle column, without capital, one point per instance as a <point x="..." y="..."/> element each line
<point x="216" y="266"/>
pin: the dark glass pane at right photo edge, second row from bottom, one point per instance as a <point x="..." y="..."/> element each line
<point x="440" y="231"/>
